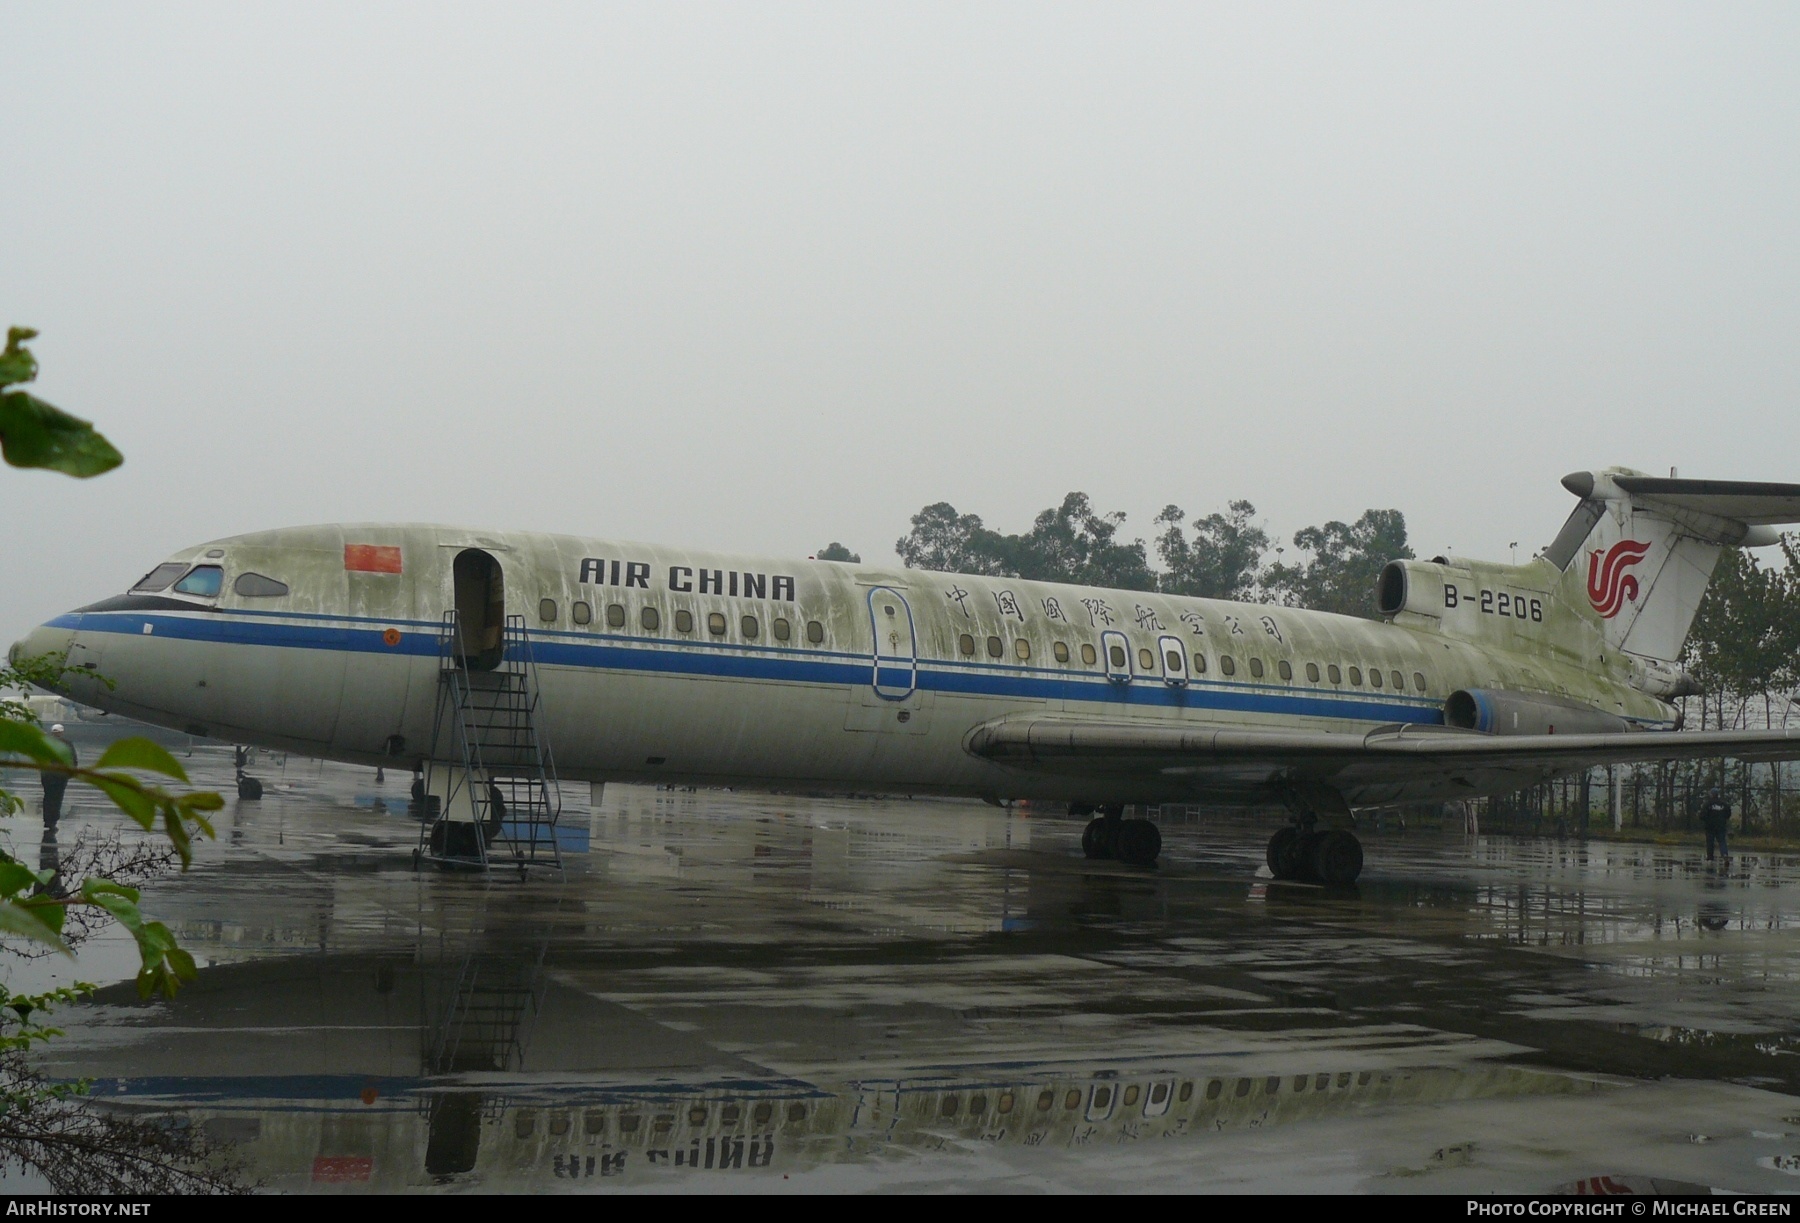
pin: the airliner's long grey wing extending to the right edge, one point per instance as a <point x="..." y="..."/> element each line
<point x="1385" y="765"/>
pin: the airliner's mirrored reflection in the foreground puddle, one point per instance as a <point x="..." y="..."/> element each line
<point x="487" y="1092"/>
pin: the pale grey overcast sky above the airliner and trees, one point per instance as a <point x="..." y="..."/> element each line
<point x="766" y="276"/>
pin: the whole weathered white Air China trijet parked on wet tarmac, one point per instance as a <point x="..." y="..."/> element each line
<point x="649" y="664"/>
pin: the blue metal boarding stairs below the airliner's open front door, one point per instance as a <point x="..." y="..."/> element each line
<point x="490" y="772"/>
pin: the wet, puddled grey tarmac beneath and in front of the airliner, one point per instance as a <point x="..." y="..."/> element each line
<point x="744" y="992"/>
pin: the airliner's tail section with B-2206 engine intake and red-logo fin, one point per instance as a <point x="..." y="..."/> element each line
<point x="1621" y="584"/>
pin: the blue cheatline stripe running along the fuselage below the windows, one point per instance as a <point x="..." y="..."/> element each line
<point x="775" y="664"/>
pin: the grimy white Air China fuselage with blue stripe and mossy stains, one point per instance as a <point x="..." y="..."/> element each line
<point x="705" y="669"/>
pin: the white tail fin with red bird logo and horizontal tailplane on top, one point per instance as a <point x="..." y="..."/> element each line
<point x="1639" y="550"/>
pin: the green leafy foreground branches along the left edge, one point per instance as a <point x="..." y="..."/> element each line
<point x="48" y="1127"/>
